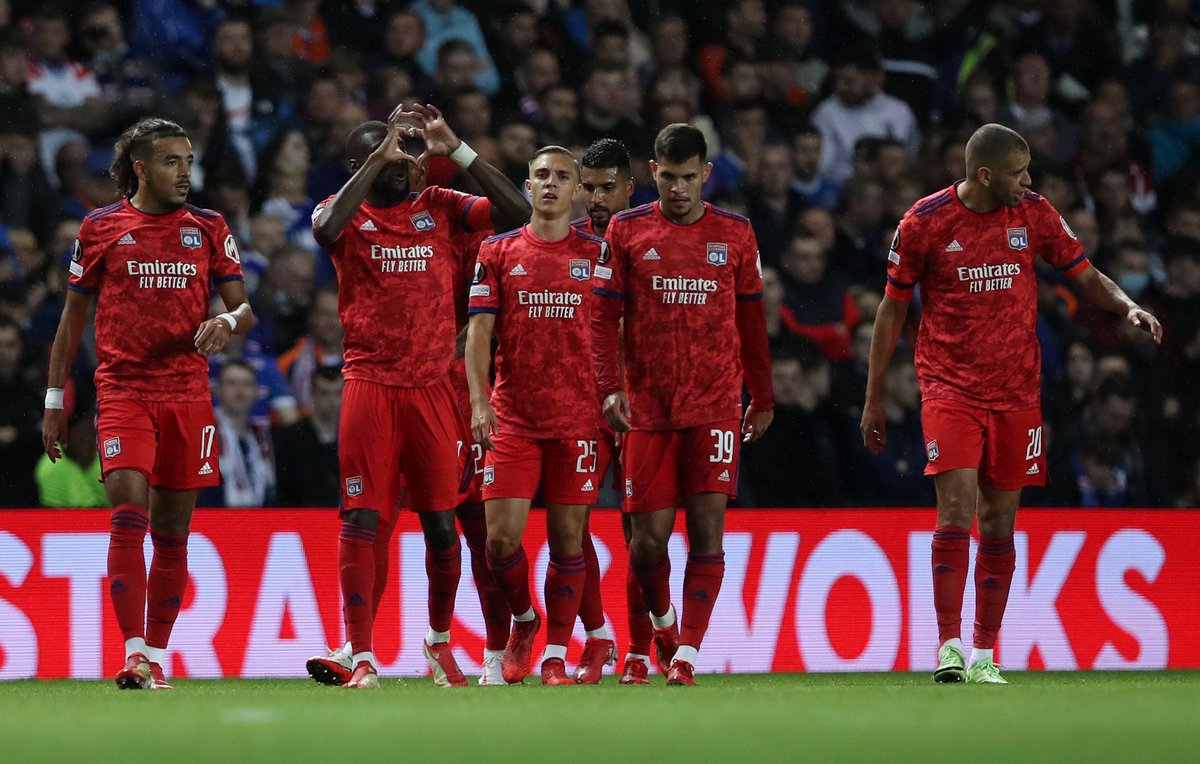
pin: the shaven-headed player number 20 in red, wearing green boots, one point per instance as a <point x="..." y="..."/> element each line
<point x="971" y="249"/>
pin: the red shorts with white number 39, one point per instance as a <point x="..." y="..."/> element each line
<point x="663" y="468"/>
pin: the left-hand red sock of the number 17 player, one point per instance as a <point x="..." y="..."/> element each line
<point x="128" y="569"/>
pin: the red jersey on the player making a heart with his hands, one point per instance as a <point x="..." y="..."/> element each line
<point x="397" y="269"/>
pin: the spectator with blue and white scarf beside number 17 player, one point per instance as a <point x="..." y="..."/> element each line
<point x="248" y="460"/>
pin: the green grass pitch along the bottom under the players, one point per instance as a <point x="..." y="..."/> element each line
<point x="743" y="720"/>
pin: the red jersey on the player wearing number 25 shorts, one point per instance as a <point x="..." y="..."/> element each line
<point x="542" y="296"/>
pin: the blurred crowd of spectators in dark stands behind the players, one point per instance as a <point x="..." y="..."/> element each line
<point x="826" y="122"/>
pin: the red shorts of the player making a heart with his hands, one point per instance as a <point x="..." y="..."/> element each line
<point x="392" y="438"/>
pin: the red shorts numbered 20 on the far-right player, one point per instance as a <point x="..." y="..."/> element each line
<point x="1005" y="447"/>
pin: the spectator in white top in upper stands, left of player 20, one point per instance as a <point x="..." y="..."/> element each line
<point x="857" y="110"/>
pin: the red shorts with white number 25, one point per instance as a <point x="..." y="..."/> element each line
<point x="565" y="467"/>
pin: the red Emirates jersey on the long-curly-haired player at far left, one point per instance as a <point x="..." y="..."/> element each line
<point x="154" y="278"/>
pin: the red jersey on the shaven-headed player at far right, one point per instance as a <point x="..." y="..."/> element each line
<point x="979" y="341"/>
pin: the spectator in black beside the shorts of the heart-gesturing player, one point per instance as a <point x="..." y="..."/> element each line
<point x="307" y="453"/>
